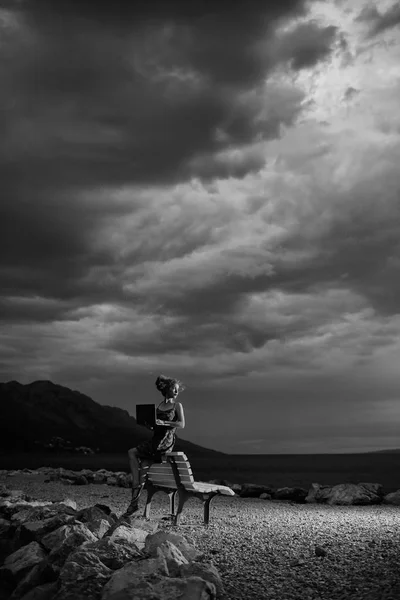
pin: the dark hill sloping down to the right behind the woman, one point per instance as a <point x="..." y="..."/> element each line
<point x="41" y="410"/>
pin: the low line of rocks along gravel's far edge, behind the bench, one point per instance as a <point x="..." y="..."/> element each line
<point x="341" y="494"/>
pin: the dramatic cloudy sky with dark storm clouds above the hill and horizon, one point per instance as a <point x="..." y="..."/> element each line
<point x="213" y="195"/>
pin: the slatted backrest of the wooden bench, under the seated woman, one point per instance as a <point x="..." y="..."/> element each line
<point x="174" y="472"/>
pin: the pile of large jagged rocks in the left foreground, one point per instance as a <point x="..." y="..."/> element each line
<point x="52" y="551"/>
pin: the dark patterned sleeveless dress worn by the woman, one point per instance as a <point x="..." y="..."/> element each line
<point x="163" y="440"/>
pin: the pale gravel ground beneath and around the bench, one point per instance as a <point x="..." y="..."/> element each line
<point x="267" y="550"/>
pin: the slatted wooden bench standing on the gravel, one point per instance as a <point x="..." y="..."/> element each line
<point x="175" y="477"/>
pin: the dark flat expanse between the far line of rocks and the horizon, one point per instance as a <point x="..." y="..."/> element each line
<point x="276" y="470"/>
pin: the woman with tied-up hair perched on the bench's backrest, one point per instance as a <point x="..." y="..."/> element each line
<point x="170" y="416"/>
